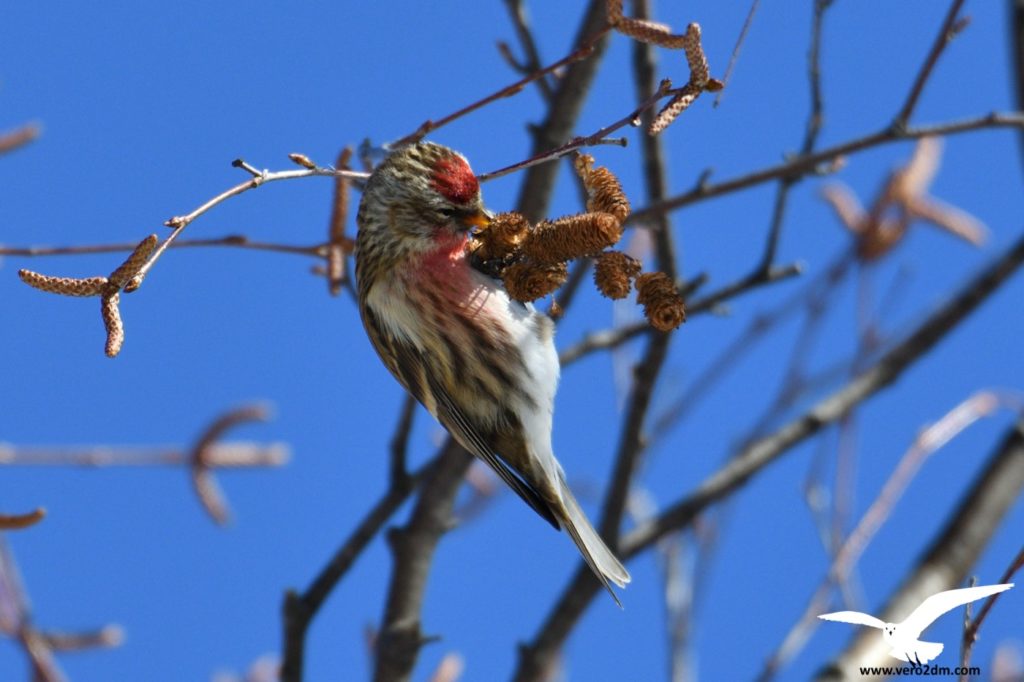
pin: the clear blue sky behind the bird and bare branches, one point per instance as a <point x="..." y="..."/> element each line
<point x="144" y="107"/>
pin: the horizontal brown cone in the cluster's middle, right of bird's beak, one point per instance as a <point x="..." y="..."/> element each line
<point x="572" y="237"/>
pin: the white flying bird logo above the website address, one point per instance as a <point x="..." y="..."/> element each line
<point x="903" y="637"/>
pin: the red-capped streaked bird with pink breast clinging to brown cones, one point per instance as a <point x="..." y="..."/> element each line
<point x="483" y="364"/>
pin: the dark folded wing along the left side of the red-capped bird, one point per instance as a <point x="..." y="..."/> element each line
<point x="413" y="370"/>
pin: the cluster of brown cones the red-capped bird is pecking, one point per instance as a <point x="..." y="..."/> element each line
<point x="533" y="261"/>
